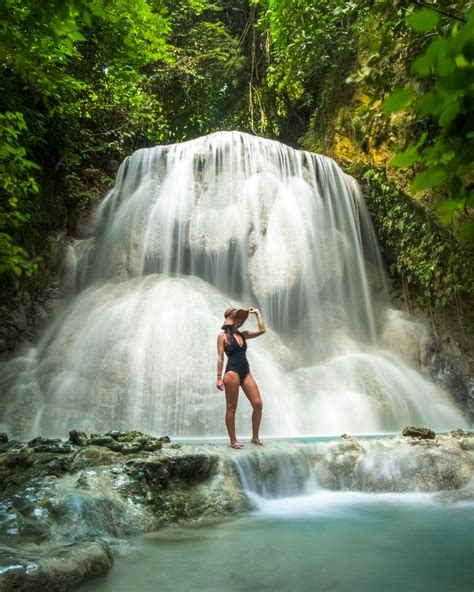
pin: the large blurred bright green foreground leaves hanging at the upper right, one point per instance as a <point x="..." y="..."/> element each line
<point x="446" y="157"/>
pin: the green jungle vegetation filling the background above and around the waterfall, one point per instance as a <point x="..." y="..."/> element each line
<point x="83" y="83"/>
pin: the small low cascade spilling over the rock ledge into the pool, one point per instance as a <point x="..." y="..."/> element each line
<point x="287" y="478"/>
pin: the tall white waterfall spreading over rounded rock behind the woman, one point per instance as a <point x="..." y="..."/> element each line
<point x="189" y="229"/>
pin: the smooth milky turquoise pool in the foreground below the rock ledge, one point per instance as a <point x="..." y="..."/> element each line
<point x="328" y="541"/>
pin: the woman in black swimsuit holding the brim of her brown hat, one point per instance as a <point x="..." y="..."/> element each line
<point x="237" y="372"/>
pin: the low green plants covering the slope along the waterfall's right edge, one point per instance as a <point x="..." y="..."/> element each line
<point x="429" y="260"/>
